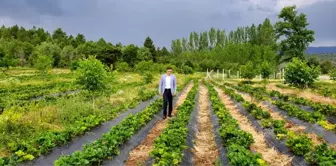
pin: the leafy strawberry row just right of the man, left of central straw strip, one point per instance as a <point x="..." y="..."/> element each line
<point x="168" y="147"/>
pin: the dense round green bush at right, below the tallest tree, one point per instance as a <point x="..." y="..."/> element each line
<point x="299" y="74"/>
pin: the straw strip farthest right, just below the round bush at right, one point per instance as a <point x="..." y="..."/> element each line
<point x="303" y="93"/>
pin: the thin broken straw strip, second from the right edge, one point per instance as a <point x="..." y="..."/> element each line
<point x="289" y="125"/>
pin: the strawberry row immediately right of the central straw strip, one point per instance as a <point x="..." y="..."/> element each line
<point x="235" y="140"/>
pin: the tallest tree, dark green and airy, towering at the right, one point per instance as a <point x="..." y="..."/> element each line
<point x="293" y="28"/>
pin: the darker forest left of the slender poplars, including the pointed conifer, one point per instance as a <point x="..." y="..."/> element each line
<point x="24" y="47"/>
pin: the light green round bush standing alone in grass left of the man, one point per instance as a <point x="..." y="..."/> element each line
<point x="91" y="74"/>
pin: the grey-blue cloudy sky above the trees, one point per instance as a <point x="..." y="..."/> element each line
<point x="130" y="21"/>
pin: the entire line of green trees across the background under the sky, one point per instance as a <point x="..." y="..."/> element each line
<point x="264" y="46"/>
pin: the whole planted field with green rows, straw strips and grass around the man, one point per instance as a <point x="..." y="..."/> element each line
<point x="261" y="123"/>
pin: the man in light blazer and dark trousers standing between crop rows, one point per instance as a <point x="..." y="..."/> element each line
<point x="167" y="88"/>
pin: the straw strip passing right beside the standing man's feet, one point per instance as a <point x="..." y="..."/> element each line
<point x="140" y="154"/>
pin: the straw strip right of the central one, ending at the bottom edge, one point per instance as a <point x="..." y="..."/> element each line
<point x="269" y="154"/>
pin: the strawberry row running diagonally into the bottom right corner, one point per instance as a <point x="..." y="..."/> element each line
<point x="300" y="144"/>
